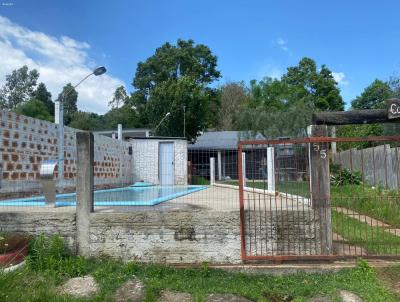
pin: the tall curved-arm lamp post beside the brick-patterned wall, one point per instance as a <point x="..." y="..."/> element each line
<point x="59" y="119"/>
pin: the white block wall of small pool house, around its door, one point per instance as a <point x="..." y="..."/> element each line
<point x="146" y="160"/>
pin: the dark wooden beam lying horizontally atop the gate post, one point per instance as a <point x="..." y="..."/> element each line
<point x="369" y="116"/>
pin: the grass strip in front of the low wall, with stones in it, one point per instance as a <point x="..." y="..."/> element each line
<point x="49" y="267"/>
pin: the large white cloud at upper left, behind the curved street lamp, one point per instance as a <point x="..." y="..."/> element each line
<point x="59" y="61"/>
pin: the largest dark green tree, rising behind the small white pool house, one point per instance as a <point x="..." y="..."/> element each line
<point x="188" y="68"/>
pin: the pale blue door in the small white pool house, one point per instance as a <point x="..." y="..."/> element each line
<point x="166" y="163"/>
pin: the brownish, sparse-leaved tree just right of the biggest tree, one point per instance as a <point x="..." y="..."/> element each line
<point x="232" y="97"/>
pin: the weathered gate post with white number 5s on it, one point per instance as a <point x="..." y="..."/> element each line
<point x="320" y="186"/>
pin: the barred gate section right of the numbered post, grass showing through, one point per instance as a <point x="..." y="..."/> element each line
<point x="365" y="197"/>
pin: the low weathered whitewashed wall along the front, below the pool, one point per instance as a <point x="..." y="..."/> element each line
<point x="177" y="236"/>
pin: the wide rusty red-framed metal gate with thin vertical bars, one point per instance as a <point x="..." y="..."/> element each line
<point x="319" y="198"/>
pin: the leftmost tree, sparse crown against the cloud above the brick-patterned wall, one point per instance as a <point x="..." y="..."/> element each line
<point x="19" y="87"/>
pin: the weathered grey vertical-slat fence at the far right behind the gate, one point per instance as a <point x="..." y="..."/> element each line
<point x="380" y="165"/>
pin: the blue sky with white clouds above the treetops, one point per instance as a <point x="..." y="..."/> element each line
<point x="64" y="40"/>
